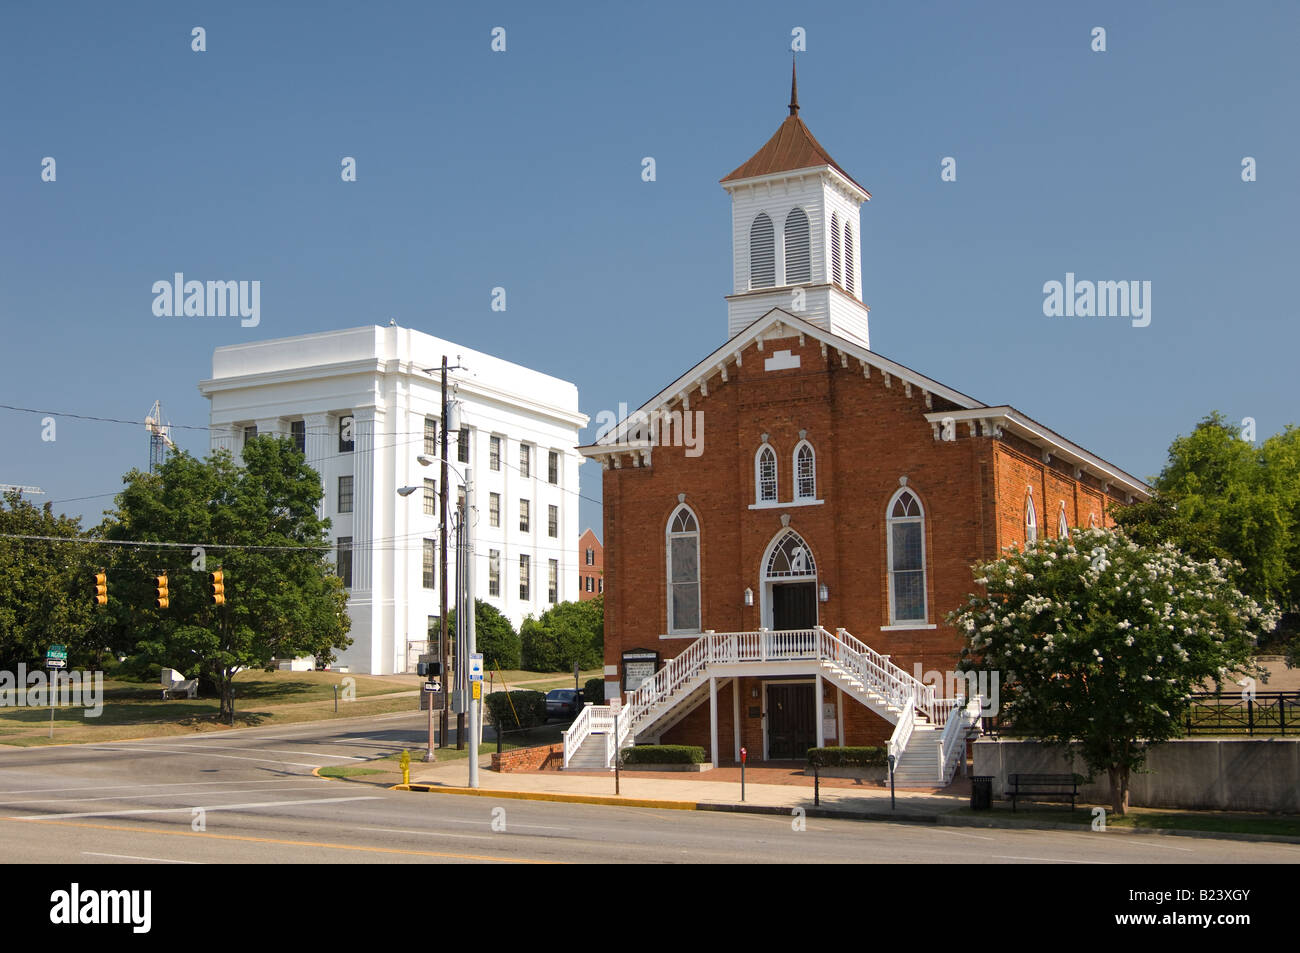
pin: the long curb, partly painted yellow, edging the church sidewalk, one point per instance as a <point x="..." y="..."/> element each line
<point x="831" y="815"/>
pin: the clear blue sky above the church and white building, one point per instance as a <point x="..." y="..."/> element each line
<point x="523" y="170"/>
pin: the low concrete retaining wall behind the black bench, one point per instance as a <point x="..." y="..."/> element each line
<point x="1199" y="774"/>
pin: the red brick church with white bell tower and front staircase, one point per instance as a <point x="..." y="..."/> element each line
<point x="788" y="523"/>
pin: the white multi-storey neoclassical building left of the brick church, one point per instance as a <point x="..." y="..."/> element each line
<point x="363" y="405"/>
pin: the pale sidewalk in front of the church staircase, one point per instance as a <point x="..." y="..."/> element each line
<point x="718" y="790"/>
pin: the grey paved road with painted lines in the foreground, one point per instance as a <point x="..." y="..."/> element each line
<point x="136" y="802"/>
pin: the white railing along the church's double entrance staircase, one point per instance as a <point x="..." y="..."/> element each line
<point x="683" y="675"/>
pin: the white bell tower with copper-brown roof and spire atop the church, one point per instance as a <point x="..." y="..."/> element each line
<point x="796" y="235"/>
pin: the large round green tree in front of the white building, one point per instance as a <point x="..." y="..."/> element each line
<point x="258" y="525"/>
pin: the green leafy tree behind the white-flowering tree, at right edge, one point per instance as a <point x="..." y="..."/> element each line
<point x="1221" y="497"/>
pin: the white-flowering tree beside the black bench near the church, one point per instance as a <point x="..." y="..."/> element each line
<point x="1100" y="642"/>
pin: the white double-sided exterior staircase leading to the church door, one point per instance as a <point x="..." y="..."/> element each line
<point x="930" y="734"/>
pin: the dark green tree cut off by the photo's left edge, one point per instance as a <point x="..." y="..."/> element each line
<point x="46" y="590"/>
